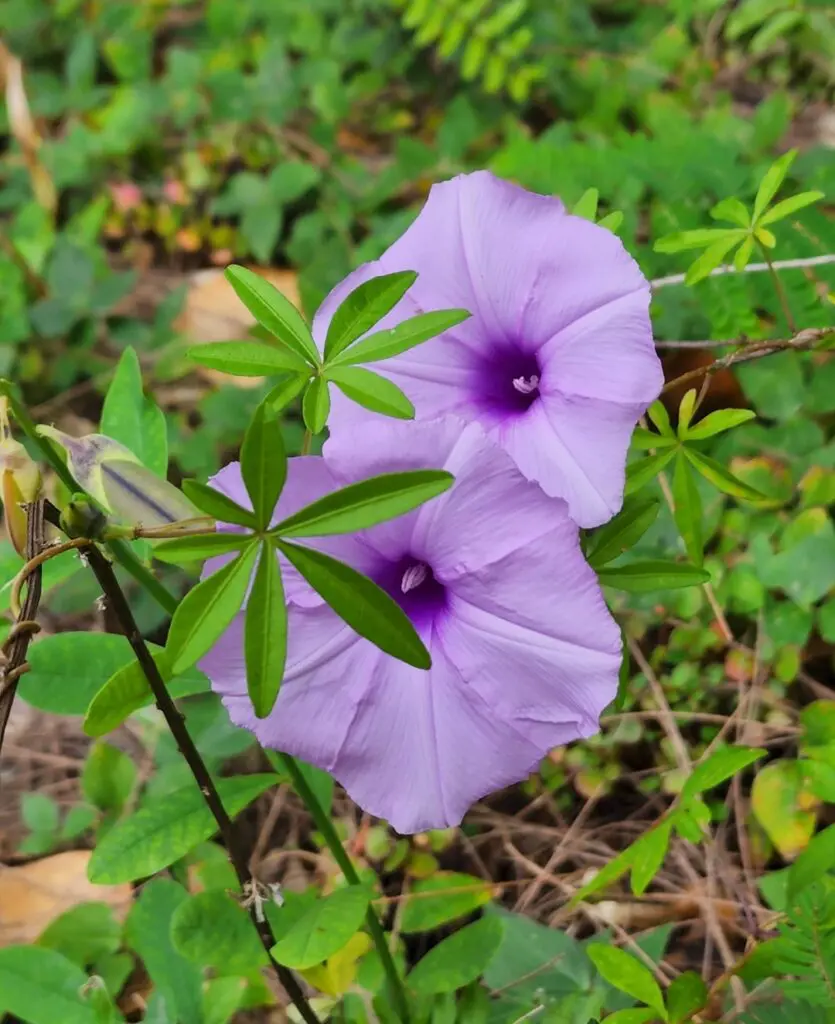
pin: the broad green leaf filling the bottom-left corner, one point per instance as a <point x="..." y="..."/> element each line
<point x="40" y="987"/>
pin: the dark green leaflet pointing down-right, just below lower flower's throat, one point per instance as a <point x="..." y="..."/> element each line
<point x="361" y="604"/>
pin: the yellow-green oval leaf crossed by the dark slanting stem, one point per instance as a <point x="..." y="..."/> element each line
<point x="128" y="691"/>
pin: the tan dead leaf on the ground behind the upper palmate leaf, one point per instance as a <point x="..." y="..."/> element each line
<point x="214" y="313"/>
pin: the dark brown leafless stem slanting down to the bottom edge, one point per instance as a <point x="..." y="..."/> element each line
<point x="117" y="603"/>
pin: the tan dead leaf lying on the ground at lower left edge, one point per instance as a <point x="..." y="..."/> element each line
<point x="34" y="894"/>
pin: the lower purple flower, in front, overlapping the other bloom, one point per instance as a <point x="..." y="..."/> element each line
<point x="525" y="654"/>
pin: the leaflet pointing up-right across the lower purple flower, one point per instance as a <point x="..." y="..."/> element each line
<point x="367" y="503"/>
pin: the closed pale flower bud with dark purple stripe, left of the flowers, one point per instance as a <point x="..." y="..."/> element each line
<point x="120" y="483"/>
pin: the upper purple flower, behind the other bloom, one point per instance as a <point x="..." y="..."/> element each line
<point x="558" y="361"/>
